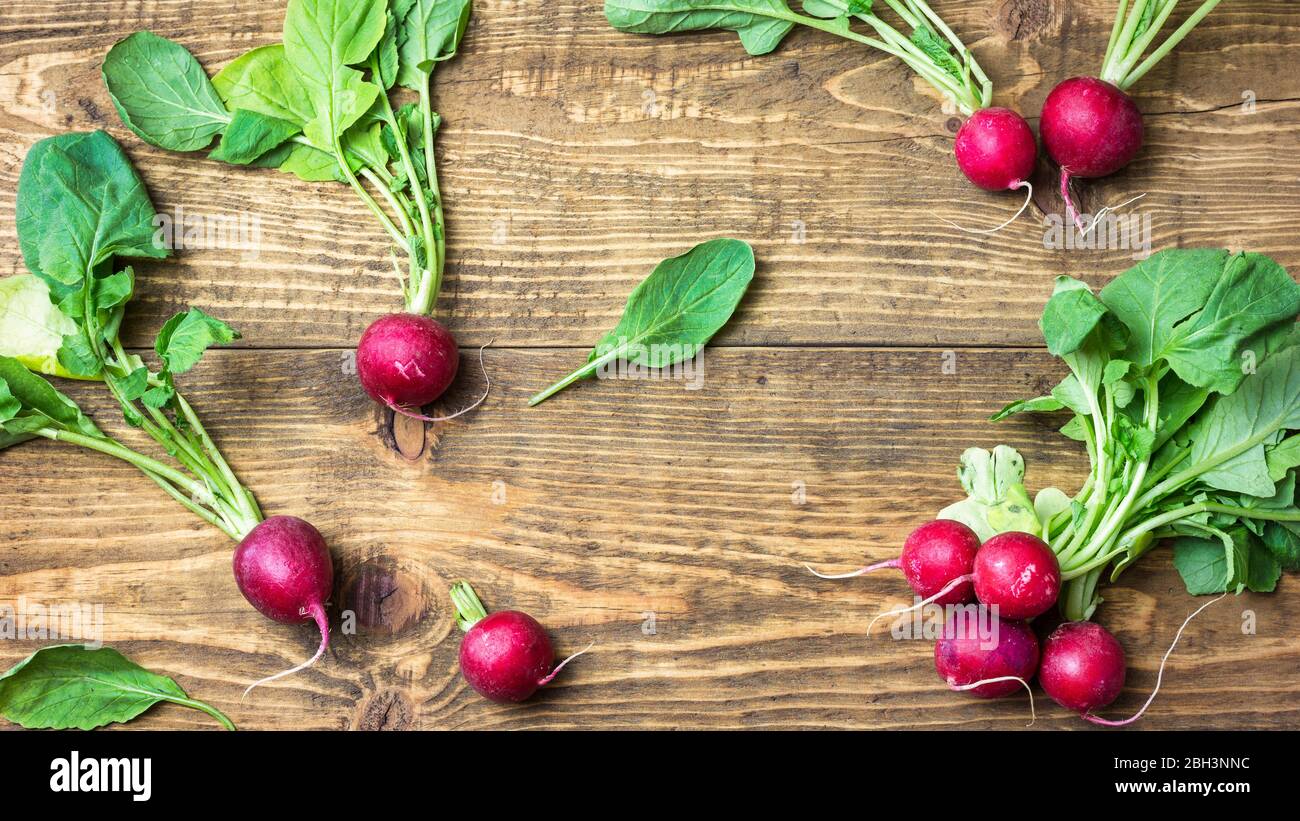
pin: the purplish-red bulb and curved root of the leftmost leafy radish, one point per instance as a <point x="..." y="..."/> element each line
<point x="284" y="570"/>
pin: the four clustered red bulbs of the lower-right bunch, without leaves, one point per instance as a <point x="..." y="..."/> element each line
<point x="1015" y="577"/>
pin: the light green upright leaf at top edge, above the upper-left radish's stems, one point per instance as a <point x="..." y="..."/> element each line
<point x="323" y="41"/>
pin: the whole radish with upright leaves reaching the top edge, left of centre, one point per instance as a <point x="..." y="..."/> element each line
<point x="318" y="107"/>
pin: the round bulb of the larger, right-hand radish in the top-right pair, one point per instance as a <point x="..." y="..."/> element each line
<point x="1090" y="128"/>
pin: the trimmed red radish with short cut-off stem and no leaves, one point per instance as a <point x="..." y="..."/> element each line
<point x="506" y="657"/>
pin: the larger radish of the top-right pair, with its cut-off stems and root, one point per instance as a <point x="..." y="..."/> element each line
<point x="1091" y="128"/>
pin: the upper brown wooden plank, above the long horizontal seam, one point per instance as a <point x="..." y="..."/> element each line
<point x="566" y="185"/>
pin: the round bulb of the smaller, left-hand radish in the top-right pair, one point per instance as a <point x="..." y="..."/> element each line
<point x="996" y="150"/>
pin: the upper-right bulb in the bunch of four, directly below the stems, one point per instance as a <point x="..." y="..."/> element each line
<point x="1019" y="575"/>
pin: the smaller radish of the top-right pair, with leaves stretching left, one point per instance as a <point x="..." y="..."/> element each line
<point x="995" y="147"/>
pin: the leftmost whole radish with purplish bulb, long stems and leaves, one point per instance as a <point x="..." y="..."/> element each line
<point x="81" y="206"/>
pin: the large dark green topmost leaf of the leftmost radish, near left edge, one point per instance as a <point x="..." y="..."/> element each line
<point x="80" y="205"/>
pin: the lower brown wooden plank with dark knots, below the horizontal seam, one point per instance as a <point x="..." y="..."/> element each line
<point x="617" y="501"/>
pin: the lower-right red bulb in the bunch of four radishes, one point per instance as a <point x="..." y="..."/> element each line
<point x="1084" y="667"/>
